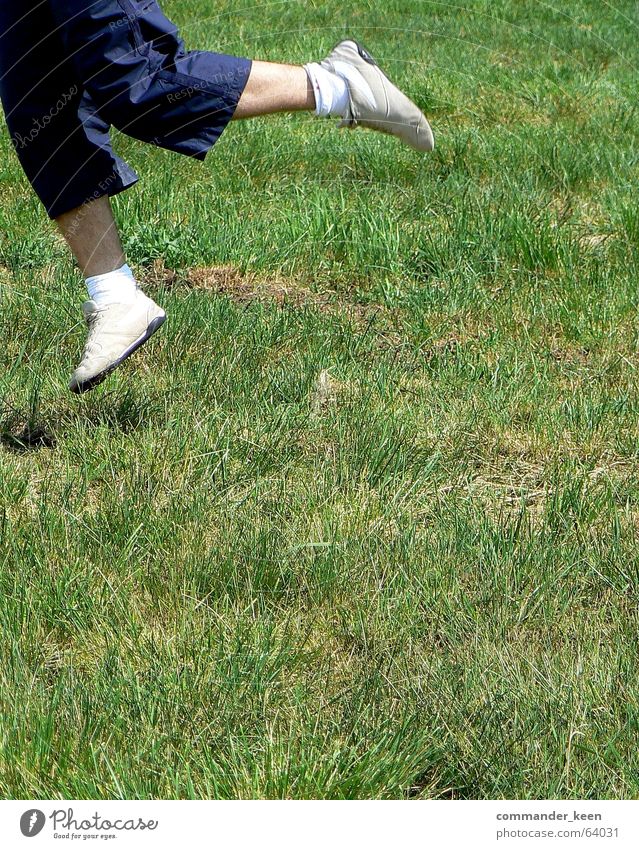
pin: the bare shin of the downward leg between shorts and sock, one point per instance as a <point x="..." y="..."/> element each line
<point x="91" y="233"/>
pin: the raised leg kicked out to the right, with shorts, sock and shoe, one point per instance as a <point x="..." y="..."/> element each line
<point x="135" y="66"/>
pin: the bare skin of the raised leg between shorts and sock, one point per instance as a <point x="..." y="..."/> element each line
<point x="275" y="88"/>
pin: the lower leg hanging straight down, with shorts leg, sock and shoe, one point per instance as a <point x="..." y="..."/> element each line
<point x="63" y="145"/>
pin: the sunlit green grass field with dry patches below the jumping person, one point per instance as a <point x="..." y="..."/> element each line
<point x="362" y="521"/>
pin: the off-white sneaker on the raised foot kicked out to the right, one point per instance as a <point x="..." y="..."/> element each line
<point x="374" y="101"/>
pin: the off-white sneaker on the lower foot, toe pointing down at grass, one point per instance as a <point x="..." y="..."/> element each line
<point x="115" y="332"/>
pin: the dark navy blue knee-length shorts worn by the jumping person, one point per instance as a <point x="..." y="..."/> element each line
<point x="71" y="69"/>
